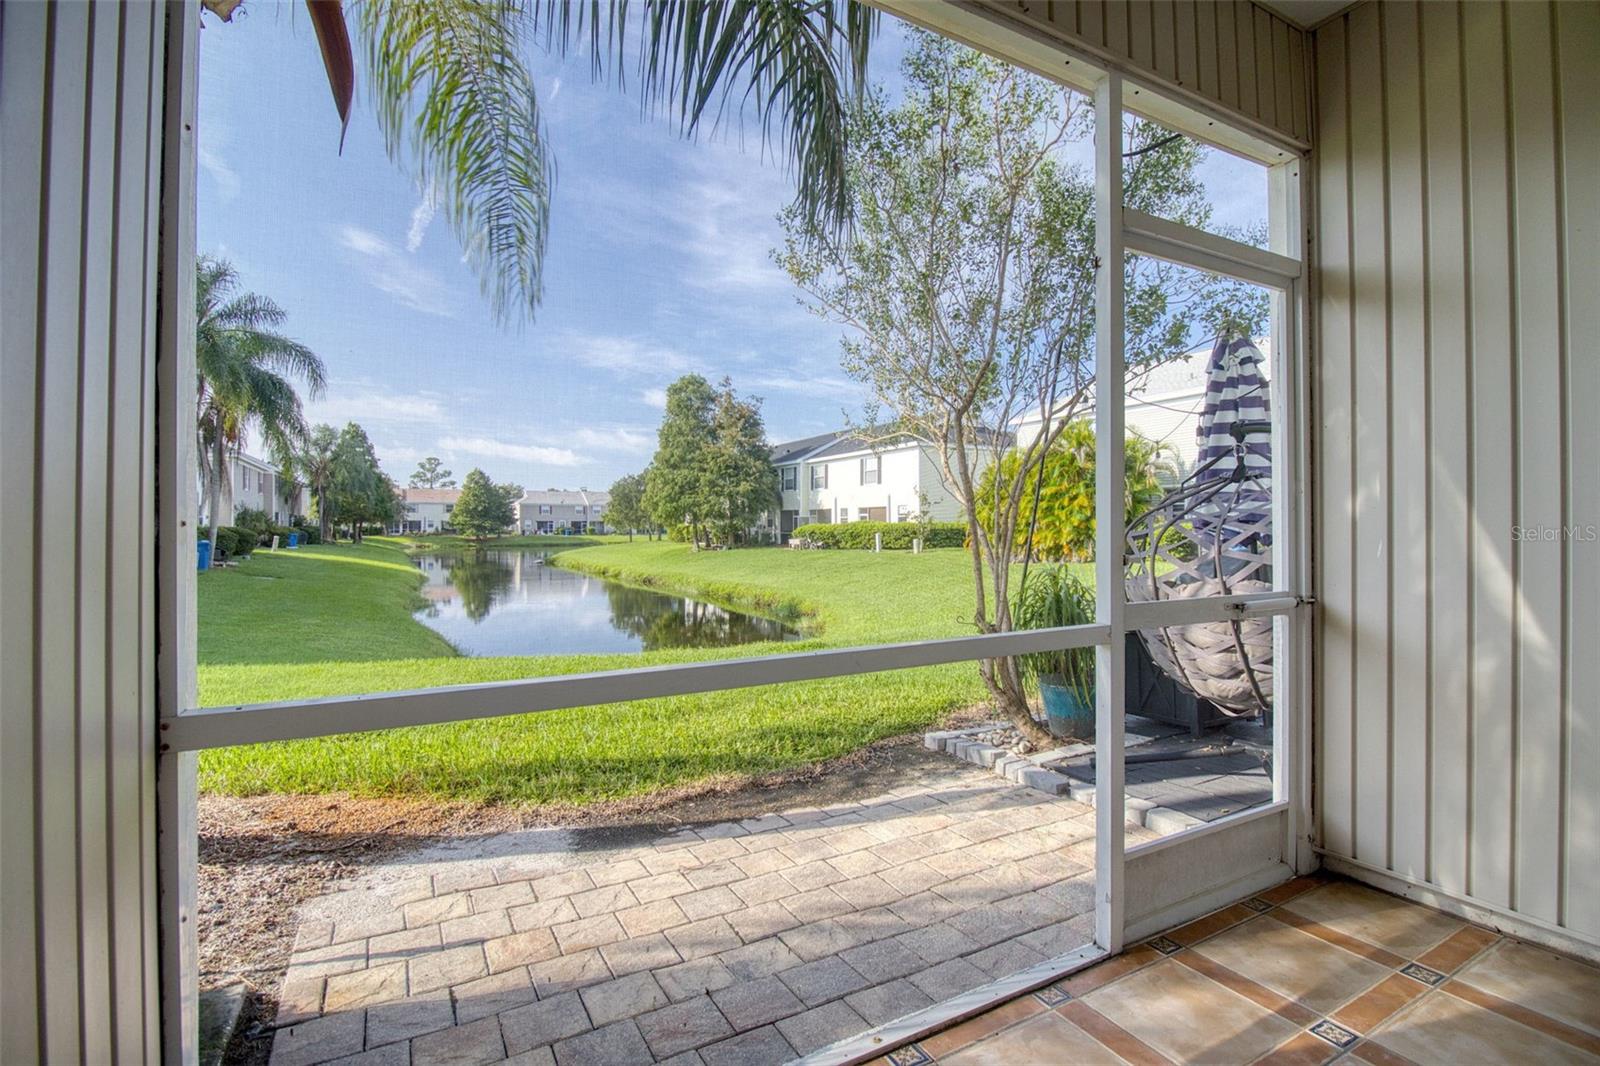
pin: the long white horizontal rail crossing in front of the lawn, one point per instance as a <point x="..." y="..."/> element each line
<point x="254" y="724"/>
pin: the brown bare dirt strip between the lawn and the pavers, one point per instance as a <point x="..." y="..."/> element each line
<point x="263" y="857"/>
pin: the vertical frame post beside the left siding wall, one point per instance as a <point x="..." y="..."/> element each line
<point x="175" y="540"/>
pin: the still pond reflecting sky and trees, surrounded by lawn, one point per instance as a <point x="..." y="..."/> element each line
<point x="516" y="603"/>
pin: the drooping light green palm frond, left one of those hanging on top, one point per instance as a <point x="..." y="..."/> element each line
<point x="454" y="95"/>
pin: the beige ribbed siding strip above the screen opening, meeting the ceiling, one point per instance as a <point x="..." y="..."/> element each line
<point x="1233" y="54"/>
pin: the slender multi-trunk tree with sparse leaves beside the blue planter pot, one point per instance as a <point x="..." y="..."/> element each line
<point x="967" y="286"/>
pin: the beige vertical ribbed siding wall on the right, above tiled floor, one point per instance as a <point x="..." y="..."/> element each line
<point x="1458" y="734"/>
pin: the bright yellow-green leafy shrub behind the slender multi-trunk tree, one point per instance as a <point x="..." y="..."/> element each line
<point x="1062" y="527"/>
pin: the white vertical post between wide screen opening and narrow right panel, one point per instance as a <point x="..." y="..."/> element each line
<point x="1110" y="593"/>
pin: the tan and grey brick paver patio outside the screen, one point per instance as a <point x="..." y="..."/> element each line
<point x="748" y="942"/>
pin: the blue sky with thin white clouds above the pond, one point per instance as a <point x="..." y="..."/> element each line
<point x="657" y="266"/>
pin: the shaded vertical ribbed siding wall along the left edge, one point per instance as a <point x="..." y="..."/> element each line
<point x="82" y="150"/>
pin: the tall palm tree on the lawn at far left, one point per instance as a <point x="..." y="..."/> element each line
<point x="241" y="366"/>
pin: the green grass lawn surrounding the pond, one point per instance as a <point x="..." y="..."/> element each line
<point x="338" y="622"/>
